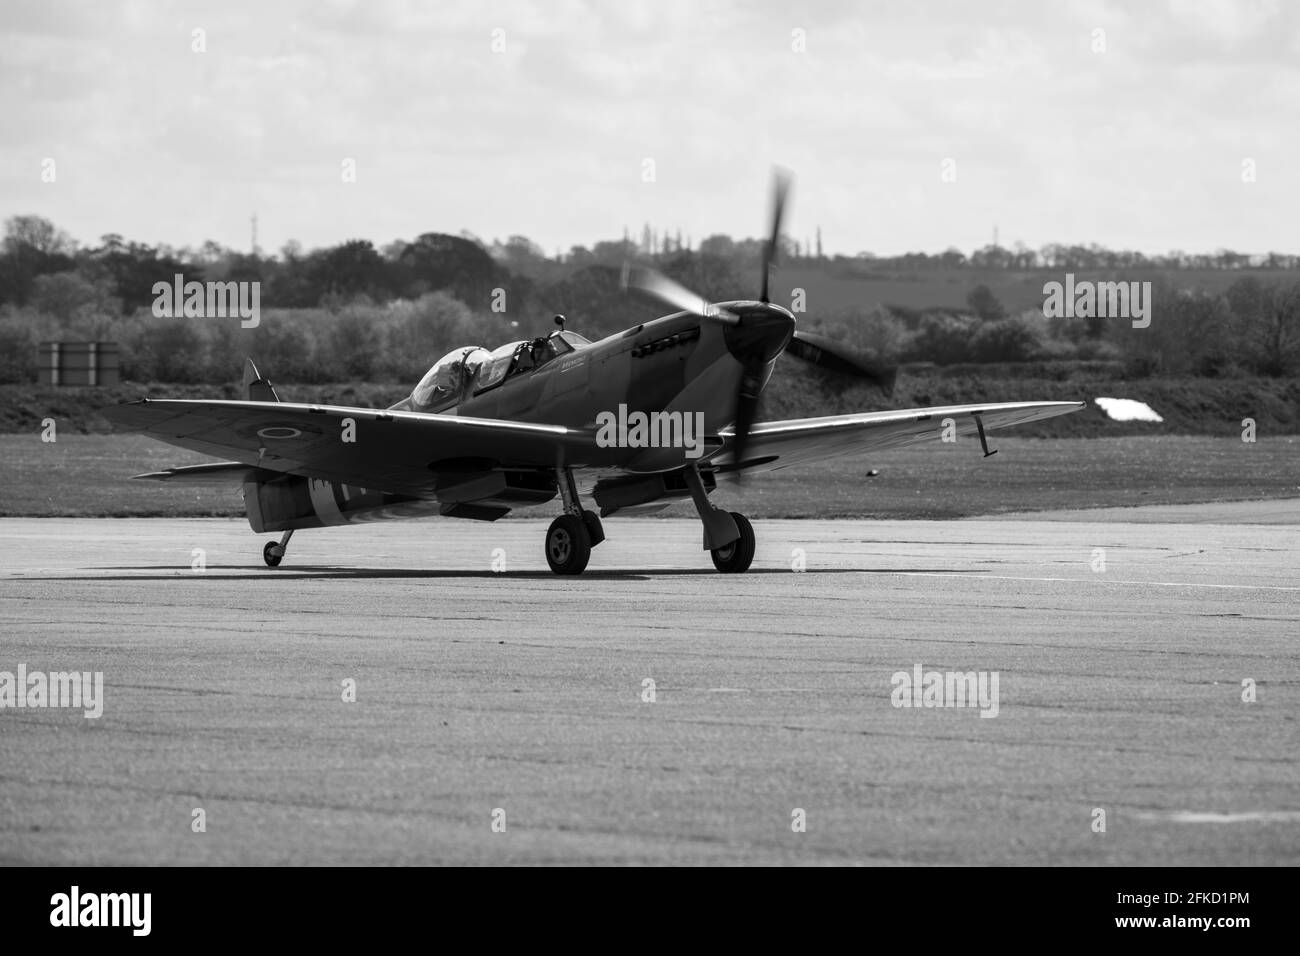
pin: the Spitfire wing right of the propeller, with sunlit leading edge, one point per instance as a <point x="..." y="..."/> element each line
<point x="779" y="444"/>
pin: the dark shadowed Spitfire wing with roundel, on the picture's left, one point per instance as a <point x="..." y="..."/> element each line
<point x="397" y="452"/>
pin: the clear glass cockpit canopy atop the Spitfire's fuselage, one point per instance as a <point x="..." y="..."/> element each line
<point x="474" y="370"/>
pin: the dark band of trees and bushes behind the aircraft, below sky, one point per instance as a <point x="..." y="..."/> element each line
<point x="356" y="312"/>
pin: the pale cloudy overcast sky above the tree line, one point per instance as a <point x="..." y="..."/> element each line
<point x="1139" y="146"/>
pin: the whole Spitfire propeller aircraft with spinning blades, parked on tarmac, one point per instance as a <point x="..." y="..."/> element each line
<point x="486" y="432"/>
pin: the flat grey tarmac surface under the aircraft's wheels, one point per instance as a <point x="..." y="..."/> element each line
<point x="1121" y="644"/>
